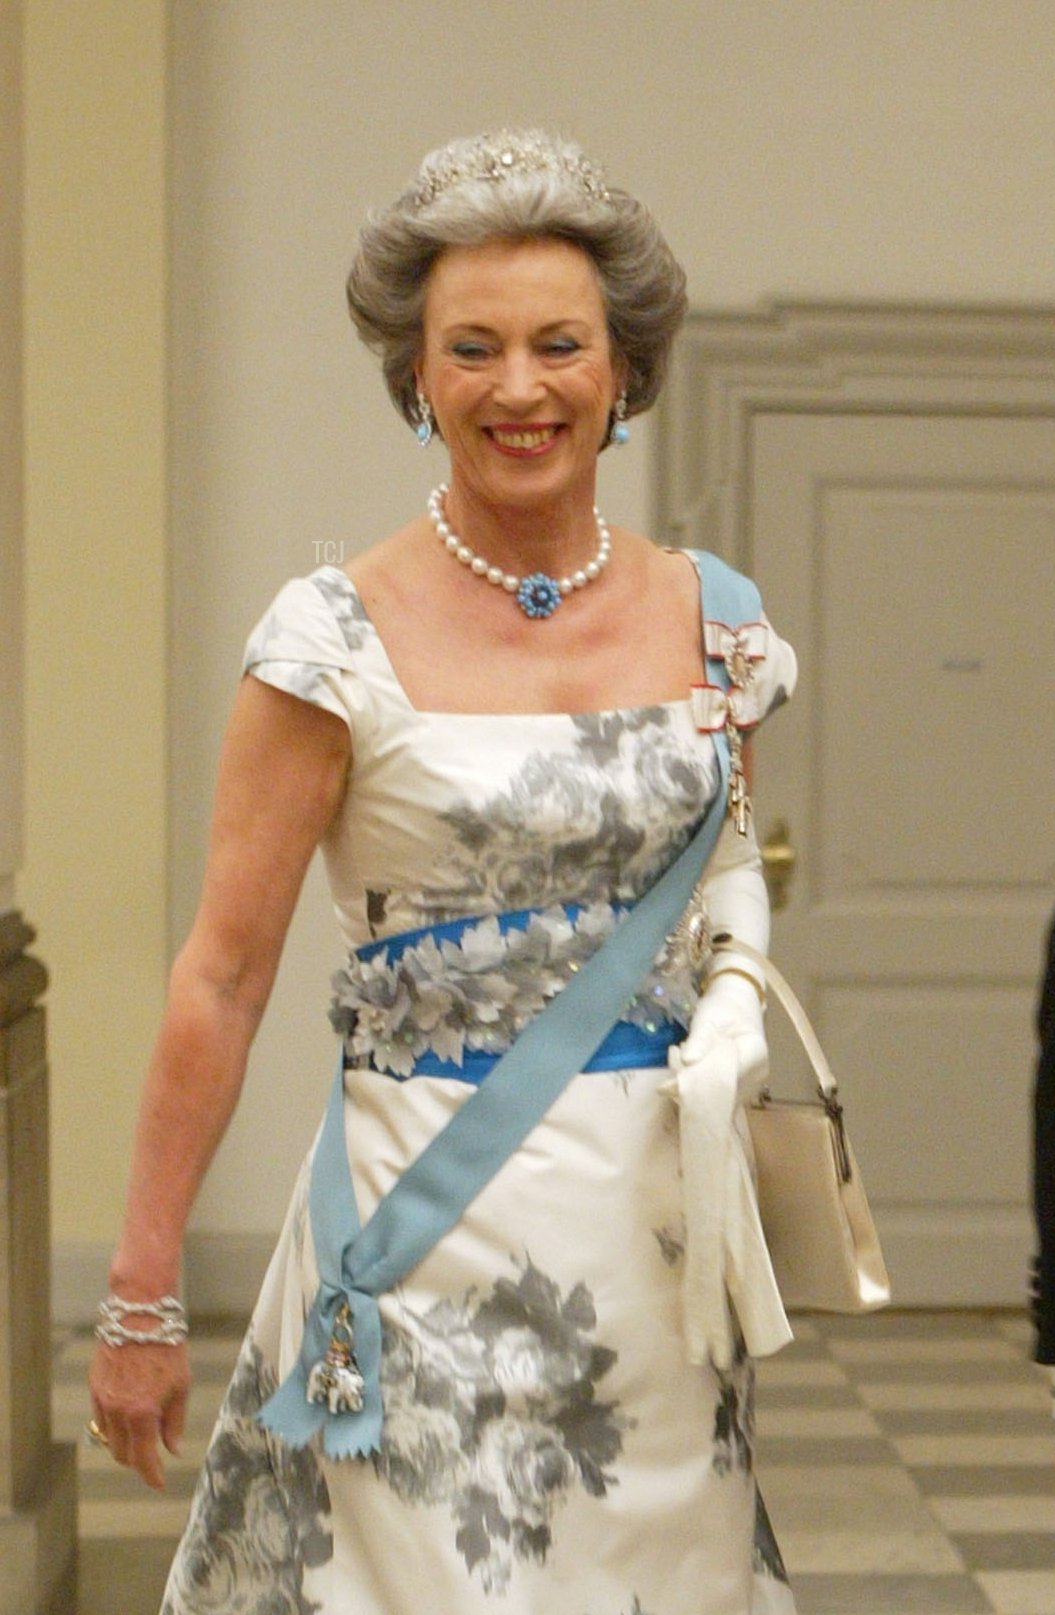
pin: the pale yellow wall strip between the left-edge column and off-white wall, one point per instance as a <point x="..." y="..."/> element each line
<point x="96" y="561"/>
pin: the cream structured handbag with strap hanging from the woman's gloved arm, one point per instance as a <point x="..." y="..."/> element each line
<point x="815" y="1215"/>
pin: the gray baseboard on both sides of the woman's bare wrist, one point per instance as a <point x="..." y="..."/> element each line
<point x="222" y="1277"/>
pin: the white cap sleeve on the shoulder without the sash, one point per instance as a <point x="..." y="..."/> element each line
<point x="305" y="645"/>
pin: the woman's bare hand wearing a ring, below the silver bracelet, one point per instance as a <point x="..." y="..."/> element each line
<point x="140" y="1399"/>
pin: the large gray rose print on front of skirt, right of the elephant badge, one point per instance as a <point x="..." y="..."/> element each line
<point x="492" y="1407"/>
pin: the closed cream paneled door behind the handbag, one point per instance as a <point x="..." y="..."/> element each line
<point x="912" y="561"/>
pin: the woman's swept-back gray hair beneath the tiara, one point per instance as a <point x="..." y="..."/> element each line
<point x="516" y="187"/>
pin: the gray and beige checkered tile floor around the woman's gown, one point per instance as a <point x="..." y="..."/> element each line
<point x="909" y="1464"/>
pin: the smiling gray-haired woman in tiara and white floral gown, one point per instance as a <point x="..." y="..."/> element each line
<point x="503" y="1353"/>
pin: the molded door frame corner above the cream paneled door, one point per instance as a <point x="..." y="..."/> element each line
<point x="826" y="358"/>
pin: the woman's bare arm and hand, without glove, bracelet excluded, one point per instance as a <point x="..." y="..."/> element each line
<point x="282" y="779"/>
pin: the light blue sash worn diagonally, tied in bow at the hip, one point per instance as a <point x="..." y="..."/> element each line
<point x="358" y="1264"/>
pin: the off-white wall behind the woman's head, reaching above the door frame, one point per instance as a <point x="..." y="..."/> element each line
<point x="836" y="149"/>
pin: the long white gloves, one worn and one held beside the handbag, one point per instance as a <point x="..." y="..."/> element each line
<point x="721" y="1065"/>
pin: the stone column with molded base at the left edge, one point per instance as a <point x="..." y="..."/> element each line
<point x="38" y="1479"/>
